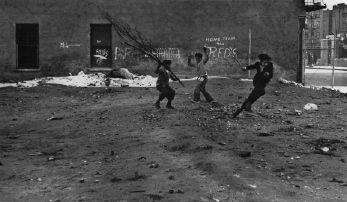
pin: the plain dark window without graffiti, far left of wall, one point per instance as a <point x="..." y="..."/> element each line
<point x="27" y="41"/>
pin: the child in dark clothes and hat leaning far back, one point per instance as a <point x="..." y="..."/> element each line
<point x="262" y="77"/>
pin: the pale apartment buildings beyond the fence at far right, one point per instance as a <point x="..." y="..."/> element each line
<point x="321" y="28"/>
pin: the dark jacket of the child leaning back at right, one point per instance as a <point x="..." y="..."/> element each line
<point x="260" y="77"/>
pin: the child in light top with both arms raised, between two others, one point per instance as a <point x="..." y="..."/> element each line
<point x="202" y="76"/>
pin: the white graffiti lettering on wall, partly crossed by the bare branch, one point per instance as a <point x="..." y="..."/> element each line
<point x="122" y="53"/>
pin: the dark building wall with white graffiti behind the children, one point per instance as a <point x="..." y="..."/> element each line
<point x="181" y="27"/>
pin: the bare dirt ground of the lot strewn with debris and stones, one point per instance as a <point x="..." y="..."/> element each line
<point x="61" y="144"/>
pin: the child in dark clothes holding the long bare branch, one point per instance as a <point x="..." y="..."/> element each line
<point x="163" y="84"/>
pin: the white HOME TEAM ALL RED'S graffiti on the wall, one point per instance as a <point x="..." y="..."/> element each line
<point x="220" y="51"/>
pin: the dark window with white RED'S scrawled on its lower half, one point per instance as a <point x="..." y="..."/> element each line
<point x="101" y="37"/>
